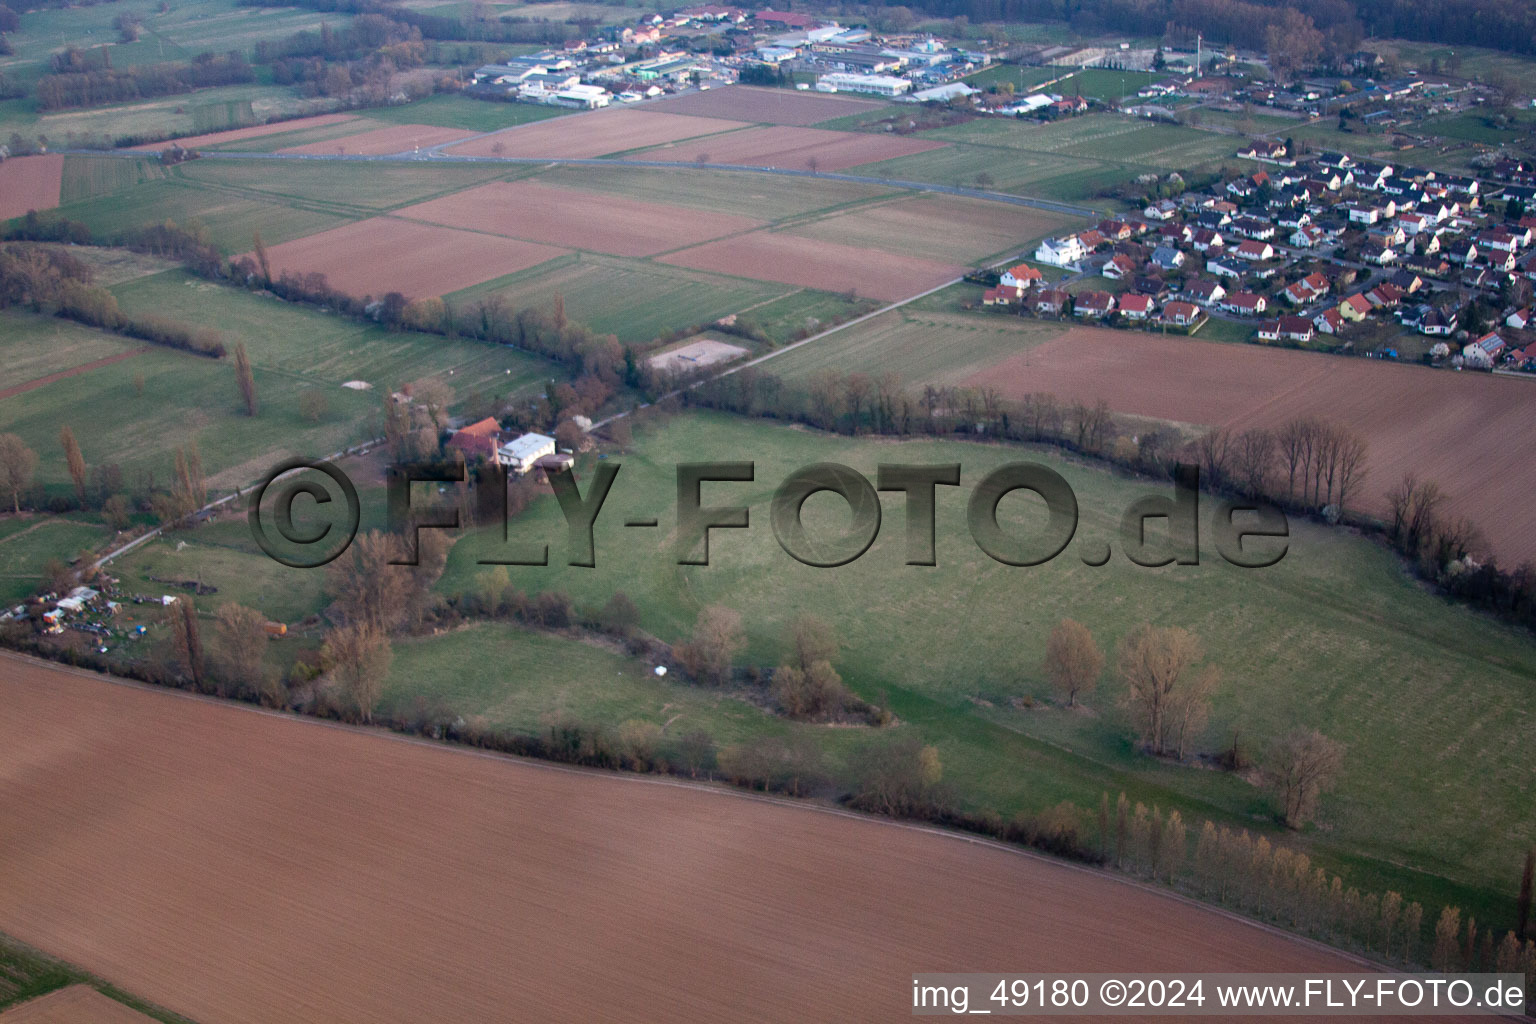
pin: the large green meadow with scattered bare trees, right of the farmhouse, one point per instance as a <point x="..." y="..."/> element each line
<point x="1403" y="667"/>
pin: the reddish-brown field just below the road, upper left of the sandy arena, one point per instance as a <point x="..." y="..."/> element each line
<point x="581" y="220"/>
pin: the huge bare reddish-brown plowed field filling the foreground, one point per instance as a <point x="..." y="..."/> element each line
<point x="243" y="867"/>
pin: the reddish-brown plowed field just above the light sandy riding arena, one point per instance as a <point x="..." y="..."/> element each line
<point x="818" y="265"/>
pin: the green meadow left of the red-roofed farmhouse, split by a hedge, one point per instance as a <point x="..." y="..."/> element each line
<point x="168" y="398"/>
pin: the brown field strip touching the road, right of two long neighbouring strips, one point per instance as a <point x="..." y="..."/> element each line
<point x="796" y="148"/>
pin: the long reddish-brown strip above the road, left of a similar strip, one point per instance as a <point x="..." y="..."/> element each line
<point x="598" y="134"/>
